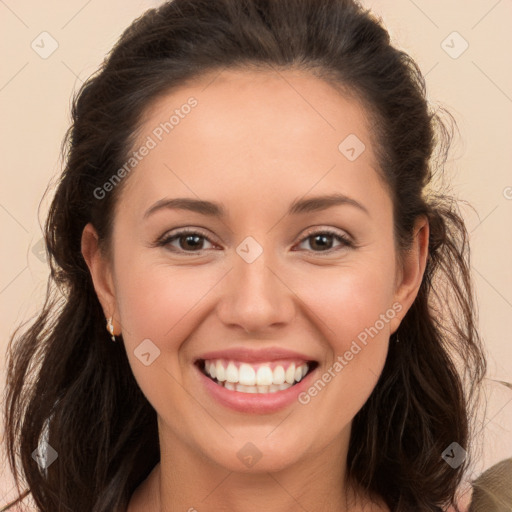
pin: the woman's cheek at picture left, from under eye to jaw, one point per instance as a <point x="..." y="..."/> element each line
<point x="157" y="302"/>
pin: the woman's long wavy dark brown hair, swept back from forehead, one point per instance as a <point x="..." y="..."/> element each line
<point x="65" y="377"/>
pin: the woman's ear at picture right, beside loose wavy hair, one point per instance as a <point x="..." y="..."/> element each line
<point x="410" y="275"/>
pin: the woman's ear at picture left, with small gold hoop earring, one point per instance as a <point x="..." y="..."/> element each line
<point x="100" y="269"/>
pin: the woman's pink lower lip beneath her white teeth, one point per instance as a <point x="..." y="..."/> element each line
<point x="259" y="403"/>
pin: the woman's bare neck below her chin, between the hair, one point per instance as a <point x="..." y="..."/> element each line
<point x="185" y="480"/>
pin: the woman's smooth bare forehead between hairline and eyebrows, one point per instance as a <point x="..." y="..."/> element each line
<point x="252" y="131"/>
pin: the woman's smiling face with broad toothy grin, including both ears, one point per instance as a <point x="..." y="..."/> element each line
<point x="267" y="284"/>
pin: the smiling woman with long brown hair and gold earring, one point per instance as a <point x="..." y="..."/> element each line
<point x="288" y="306"/>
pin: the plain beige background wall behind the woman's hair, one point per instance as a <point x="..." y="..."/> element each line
<point x="476" y="87"/>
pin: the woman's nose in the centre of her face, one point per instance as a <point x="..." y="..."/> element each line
<point x="256" y="298"/>
